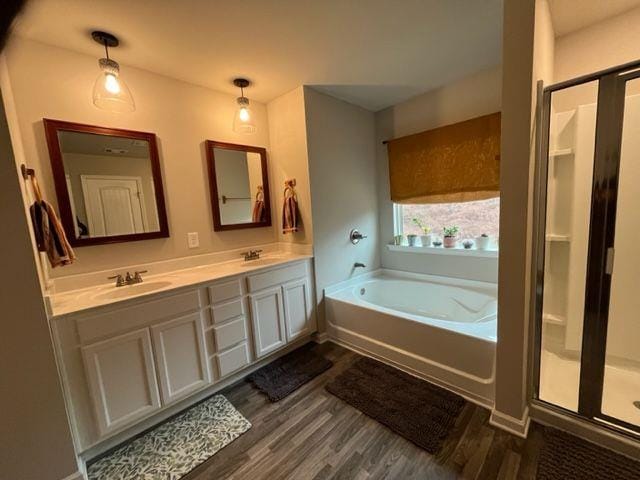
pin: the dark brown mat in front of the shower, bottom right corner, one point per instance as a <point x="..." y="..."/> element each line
<point x="564" y="456"/>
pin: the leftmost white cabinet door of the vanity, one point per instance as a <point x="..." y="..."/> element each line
<point x="122" y="379"/>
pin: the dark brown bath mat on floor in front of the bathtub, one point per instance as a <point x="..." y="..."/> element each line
<point x="415" y="409"/>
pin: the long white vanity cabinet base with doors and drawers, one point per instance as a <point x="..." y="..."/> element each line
<point x="123" y="363"/>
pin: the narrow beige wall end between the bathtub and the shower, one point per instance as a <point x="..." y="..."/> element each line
<point x="516" y="177"/>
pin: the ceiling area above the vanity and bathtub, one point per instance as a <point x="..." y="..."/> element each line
<point x="374" y="53"/>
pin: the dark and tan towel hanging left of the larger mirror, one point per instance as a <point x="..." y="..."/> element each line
<point x="50" y="236"/>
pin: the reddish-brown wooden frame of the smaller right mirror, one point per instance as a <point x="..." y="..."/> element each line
<point x="213" y="186"/>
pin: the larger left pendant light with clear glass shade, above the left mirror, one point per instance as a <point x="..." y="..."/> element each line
<point x="110" y="92"/>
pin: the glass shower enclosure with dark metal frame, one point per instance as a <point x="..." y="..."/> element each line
<point x="587" y="302"/>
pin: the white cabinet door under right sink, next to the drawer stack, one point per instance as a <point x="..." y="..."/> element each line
<point x="267" y="316"/>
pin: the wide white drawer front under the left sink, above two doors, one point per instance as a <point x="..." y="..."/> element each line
<point x="128" y="318"/>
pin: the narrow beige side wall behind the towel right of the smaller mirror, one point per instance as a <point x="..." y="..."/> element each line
<point x="288" y="139"/>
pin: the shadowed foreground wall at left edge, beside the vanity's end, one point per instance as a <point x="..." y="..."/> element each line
<point x="35" y="440"/>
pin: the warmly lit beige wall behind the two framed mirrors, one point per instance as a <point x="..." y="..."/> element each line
<point x="180" y="114"/>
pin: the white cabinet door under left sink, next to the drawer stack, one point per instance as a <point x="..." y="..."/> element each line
<point x="181" y="357"/>
